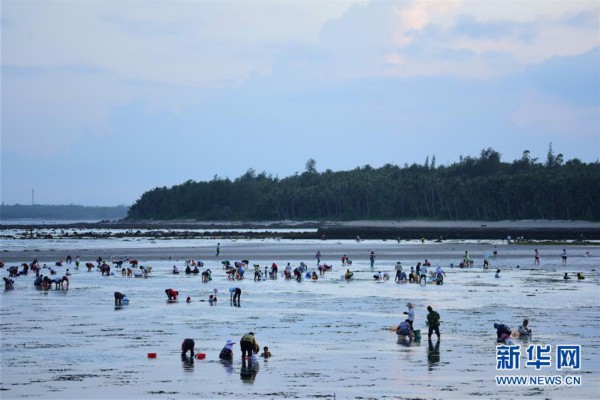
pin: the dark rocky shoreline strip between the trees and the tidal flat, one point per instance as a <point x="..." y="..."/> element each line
<point x="392" y="230"/>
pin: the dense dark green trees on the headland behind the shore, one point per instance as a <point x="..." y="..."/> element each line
<point x="483" y="188"/>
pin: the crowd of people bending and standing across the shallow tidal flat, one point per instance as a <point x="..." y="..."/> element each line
<point x="422" y="273"/>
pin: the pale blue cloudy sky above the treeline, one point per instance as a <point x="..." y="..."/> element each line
<point x="102" y="101"/>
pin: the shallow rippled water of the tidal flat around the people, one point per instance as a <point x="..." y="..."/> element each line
<point x="328" y="338"/>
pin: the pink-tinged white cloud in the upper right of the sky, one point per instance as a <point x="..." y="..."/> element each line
<point x="526" y="33"/>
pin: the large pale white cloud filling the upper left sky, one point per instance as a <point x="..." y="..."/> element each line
<point x="67" y="66"/>
